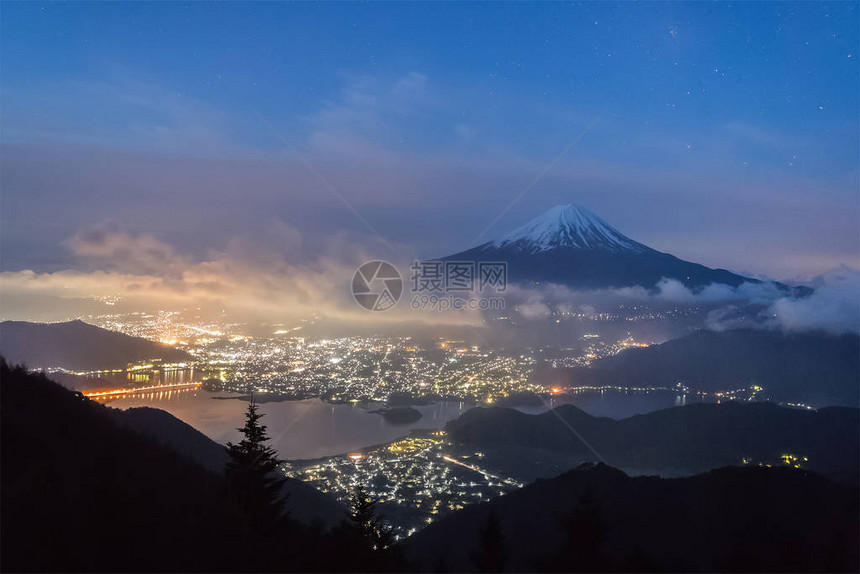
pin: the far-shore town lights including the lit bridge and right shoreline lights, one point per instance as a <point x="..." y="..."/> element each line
<point x="284" y="365"/>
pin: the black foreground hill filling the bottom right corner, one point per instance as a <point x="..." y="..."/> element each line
<point x="599" y="519"/>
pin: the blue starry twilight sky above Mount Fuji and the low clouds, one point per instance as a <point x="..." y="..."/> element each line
<point x="169" y="135"/>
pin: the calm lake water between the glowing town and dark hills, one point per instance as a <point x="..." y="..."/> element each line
<point x="312" y="428"/>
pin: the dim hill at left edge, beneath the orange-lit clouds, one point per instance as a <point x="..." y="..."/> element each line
<point x="77" y="346"/>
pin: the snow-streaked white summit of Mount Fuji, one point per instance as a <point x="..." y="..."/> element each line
<point x="568" y="226"/>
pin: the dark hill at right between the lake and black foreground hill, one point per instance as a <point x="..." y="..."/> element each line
<point x="670" y="442"/>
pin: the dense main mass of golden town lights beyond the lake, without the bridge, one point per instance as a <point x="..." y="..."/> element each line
<point x="362" y="368"/>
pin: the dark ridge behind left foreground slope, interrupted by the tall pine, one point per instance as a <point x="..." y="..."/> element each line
<point x="304" y="502"/>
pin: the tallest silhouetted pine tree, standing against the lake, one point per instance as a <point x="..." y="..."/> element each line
<point x="253" y="474"/>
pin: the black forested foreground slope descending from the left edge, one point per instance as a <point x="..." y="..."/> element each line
<point x="81" y="493"/>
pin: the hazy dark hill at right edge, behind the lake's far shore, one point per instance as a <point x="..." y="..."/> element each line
<point x="812" y="368"/>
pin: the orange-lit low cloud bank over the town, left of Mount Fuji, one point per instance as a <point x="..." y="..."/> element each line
<point x="262" y="279"/>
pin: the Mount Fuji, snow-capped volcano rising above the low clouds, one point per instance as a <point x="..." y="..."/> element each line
<point x="569" y="245"/>
